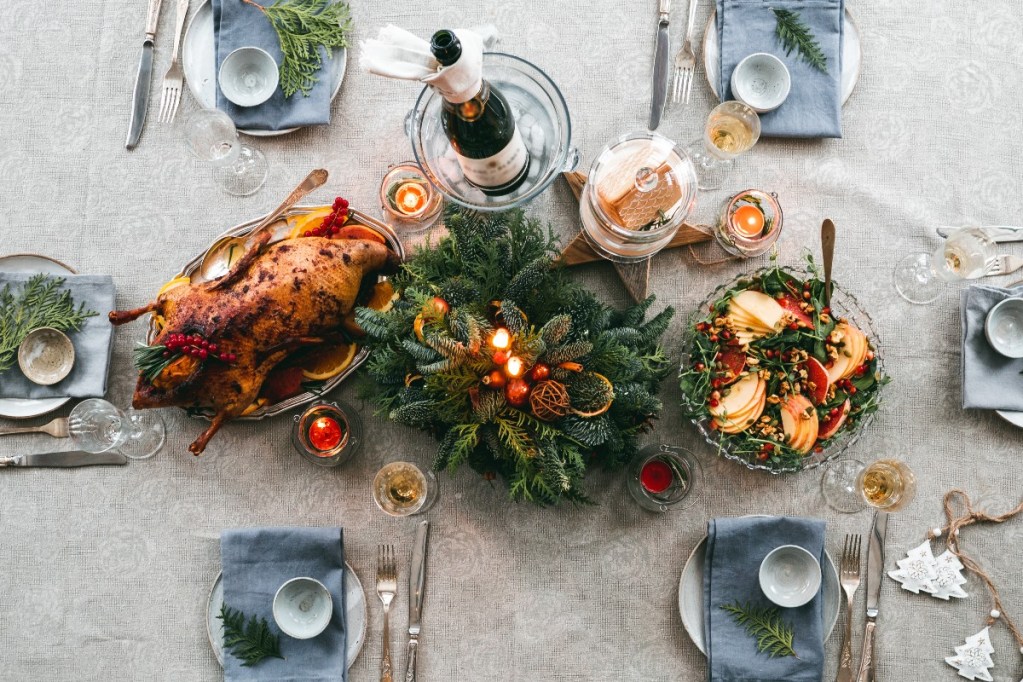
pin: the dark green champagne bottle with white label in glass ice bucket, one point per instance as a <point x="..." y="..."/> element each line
<point x="482" y="130"/>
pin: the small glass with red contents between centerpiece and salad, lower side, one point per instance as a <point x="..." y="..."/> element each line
<point x="665" y="477"/>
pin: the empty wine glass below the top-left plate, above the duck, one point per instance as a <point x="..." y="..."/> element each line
<point x="238" y="169"/>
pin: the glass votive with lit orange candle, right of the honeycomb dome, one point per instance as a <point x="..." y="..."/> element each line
<point x="750" y="223"/>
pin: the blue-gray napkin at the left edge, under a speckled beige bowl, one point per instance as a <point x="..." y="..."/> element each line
<point x="93" y="343"/>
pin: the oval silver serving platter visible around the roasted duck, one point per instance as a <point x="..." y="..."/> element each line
<point x="218" y="266"/>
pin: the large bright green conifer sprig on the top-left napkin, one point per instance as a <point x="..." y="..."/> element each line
<point x="302" y="27"/>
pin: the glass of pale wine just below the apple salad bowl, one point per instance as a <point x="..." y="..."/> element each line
<point x="887" y="485"/>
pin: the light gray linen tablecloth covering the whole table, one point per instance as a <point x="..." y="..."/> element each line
<point x="105" y="572"/>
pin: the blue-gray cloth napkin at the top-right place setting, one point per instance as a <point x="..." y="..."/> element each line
<point x="814" y="108"/>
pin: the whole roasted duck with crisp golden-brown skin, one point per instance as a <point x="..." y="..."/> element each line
<point x="275" y="300"/>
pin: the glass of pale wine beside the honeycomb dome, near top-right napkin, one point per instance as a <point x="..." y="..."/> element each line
<point x="733" y="128"/>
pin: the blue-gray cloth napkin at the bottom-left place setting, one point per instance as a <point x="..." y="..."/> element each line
<point x="256" y="563"/>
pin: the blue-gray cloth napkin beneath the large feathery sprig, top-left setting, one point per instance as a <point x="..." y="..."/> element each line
<point x="237" y="24"/>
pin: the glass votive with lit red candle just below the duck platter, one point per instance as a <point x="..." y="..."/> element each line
<point x="328" y="434"/>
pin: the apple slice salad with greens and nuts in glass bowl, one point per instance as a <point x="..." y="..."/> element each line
<point x="776" y="374"/>
